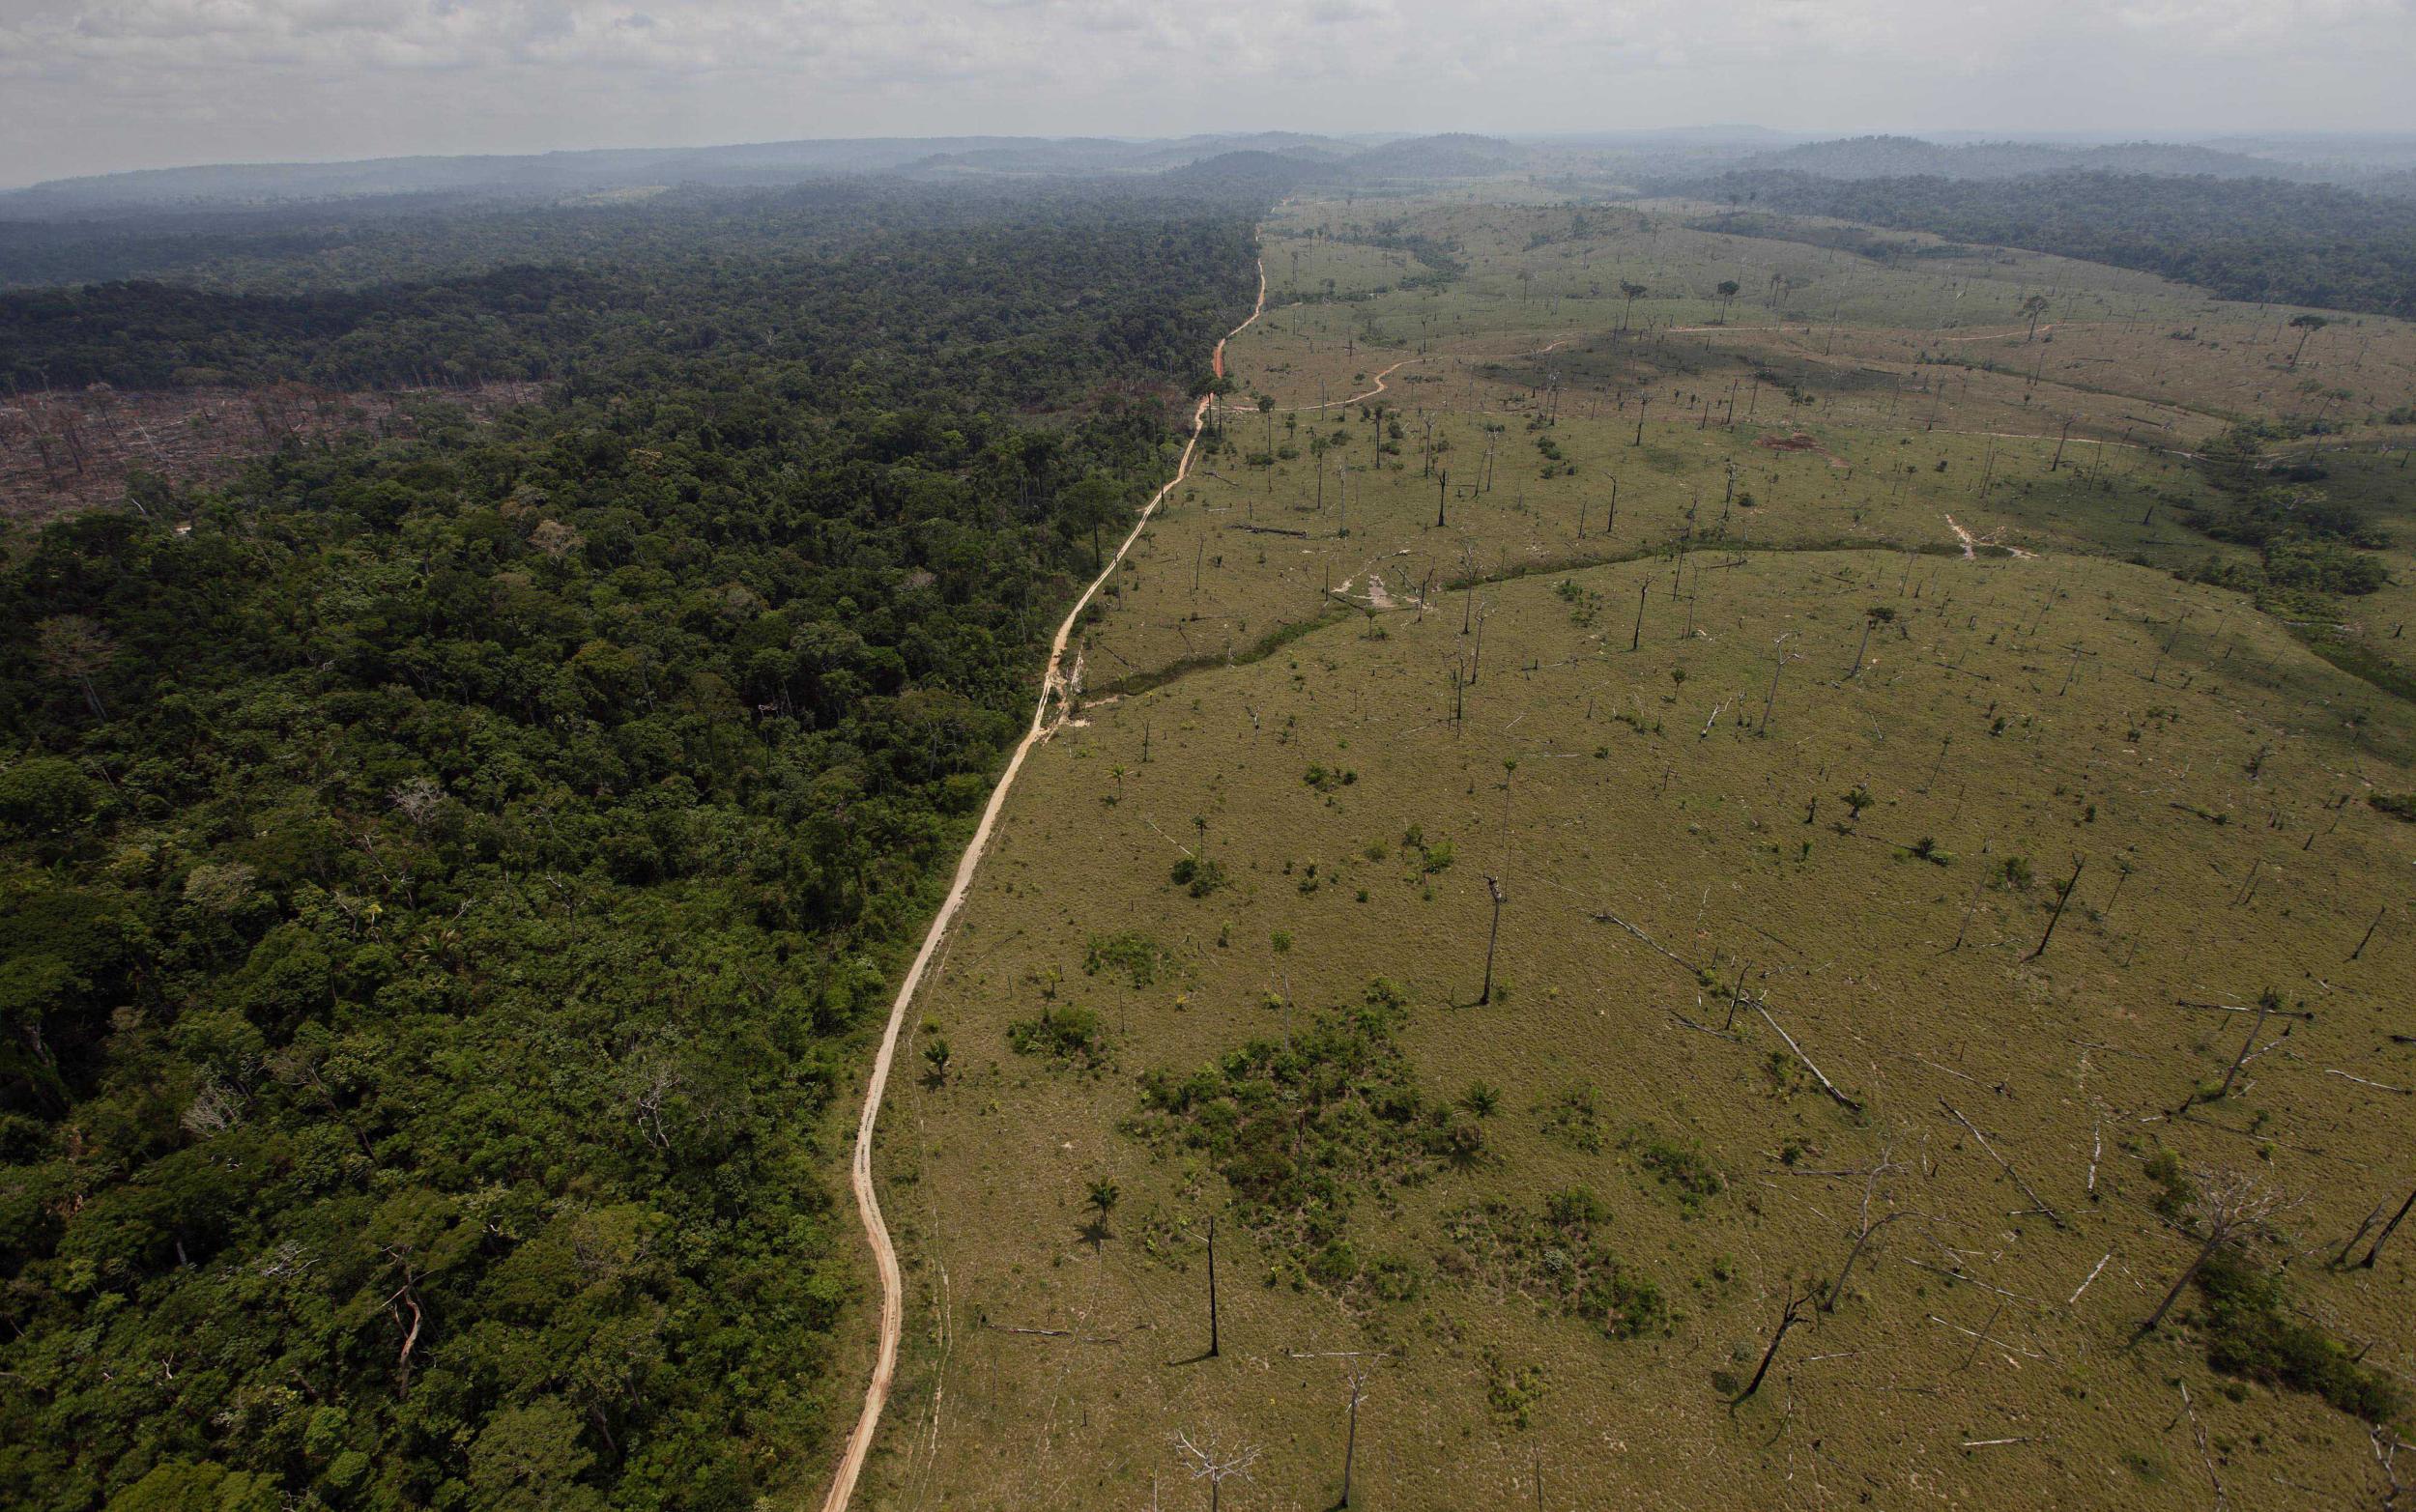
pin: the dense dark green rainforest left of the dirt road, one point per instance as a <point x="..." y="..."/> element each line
<point x="443" y="883"/>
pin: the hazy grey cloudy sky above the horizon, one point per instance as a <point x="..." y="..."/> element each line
<point x="93" y="86"/>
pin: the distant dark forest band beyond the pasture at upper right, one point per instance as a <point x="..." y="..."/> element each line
<point x="2238" y="238"/>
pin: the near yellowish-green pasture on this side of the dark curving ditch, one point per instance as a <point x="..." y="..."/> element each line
<point x="1668" y="806"/>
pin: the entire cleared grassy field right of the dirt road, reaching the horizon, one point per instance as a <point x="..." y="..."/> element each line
<point x="1871" y="839"/>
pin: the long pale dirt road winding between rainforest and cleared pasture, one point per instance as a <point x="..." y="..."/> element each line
<point x="885" y="1257"/>
